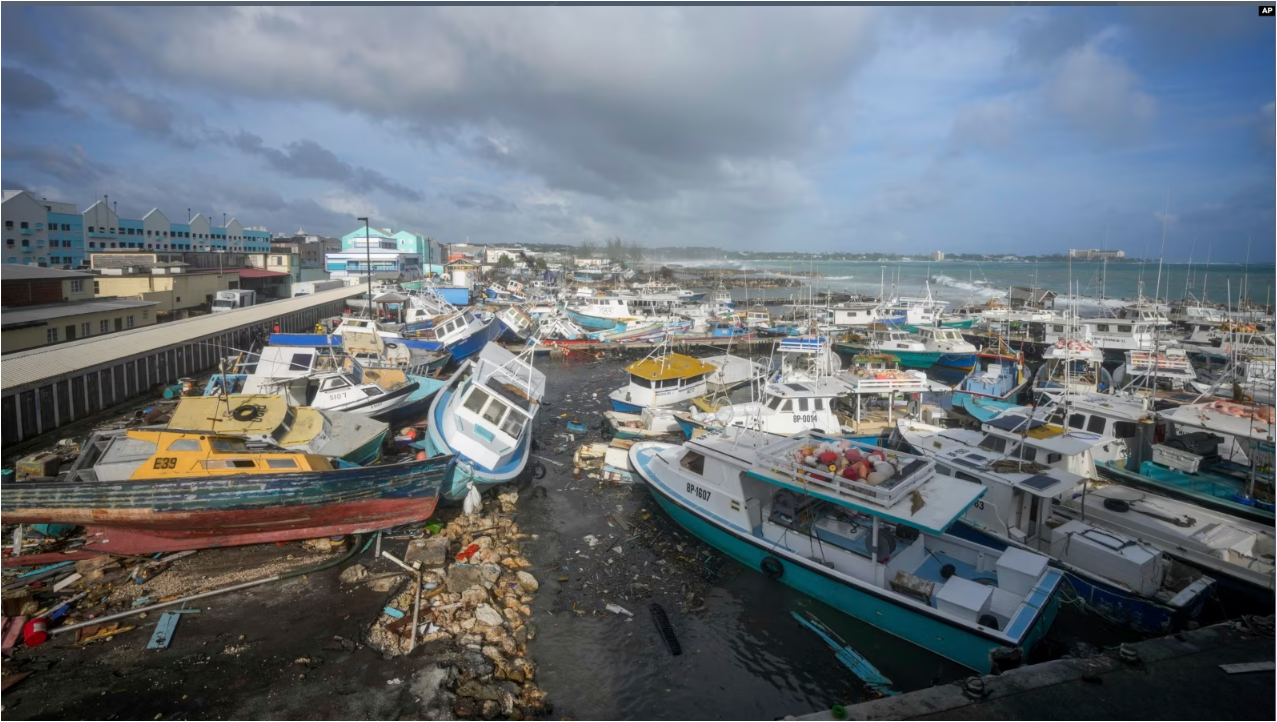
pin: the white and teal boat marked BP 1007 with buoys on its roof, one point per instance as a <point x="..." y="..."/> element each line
<point x="875" y="548"/>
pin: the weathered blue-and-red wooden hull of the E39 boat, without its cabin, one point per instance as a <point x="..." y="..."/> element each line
<point x="137" y="517"/>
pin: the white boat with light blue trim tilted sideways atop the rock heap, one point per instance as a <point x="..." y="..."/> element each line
<point x="485" y="417"/>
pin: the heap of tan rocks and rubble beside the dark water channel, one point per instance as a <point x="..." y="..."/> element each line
<point x="467" y="606"/>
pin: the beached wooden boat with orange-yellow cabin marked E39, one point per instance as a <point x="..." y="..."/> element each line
<point x="147" y="491"/>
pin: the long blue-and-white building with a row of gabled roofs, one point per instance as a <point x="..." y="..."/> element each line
<point x="54" y="234"/>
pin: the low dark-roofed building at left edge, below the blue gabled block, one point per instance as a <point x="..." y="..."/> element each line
<point x="48" y="306"/>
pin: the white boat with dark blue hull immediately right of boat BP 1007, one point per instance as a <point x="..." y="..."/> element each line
<point x="1124" y="580"/>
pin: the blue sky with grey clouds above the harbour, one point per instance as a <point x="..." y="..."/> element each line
<point x="1006" y="130"/>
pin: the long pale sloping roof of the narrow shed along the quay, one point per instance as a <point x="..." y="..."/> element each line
<point x="50" y="362"/>
